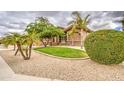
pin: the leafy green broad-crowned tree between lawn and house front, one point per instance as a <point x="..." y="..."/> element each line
<point x="46" y="31"/>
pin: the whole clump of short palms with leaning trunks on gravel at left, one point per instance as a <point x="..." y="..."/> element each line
<point x="19" y="40"/>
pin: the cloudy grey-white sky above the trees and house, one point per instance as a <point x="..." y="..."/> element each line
<point x="16" y="21"/>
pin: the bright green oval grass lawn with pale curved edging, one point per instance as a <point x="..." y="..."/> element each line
<point x="63" y="52"/>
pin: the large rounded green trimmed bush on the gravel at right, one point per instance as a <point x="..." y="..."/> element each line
<point x="105" y="46"/>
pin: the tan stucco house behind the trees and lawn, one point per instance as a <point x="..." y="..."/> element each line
<point x="71" y="40"/>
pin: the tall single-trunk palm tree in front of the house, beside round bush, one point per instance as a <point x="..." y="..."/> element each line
<point x="79" y="23"/>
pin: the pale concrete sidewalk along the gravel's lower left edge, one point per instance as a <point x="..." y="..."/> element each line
<point x="6" y="73"/>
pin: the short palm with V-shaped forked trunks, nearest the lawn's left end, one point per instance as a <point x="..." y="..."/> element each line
<point x="27" y="41"/>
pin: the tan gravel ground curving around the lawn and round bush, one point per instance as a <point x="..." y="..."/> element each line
<point x="62" y="69"/>
